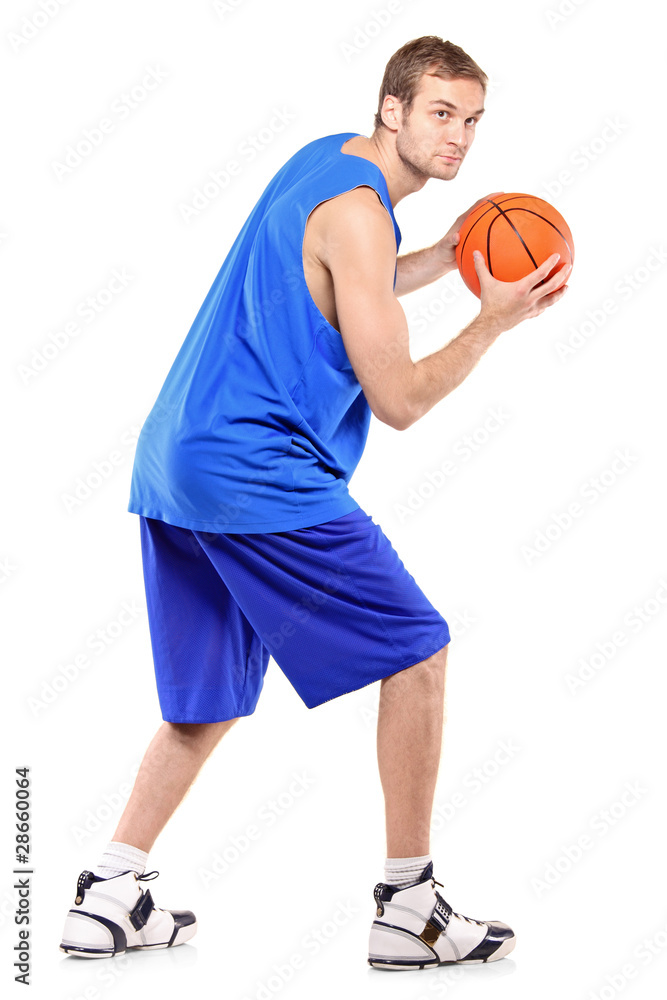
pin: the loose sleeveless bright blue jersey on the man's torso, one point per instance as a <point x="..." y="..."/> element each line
<point x="261" y="420"/>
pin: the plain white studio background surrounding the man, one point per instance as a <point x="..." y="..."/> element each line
<point x="526" y="619"/>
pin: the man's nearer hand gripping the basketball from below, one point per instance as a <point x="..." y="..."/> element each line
<point x="507" y="303"/>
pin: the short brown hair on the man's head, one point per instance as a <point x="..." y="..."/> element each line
<point x="428" y="54"/>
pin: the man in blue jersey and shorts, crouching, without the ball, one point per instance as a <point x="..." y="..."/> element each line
<point x="252" y="543"/>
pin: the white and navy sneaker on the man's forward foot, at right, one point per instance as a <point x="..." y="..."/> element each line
<point x="416" y="929"/>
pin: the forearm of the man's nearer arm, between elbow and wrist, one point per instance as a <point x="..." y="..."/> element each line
<point x="435" y="376"/>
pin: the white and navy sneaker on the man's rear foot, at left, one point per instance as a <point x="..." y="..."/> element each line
<point x="111" y="915"/>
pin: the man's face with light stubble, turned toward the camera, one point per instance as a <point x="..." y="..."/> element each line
<point x="439" y="130"/>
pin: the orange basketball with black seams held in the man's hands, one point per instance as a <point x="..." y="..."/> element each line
<point x="515" y="233"/>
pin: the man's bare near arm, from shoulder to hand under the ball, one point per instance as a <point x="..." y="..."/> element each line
<point x="359" y="249"/>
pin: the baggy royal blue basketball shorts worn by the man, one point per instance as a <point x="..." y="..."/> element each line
<point x="332" y="604"/>
